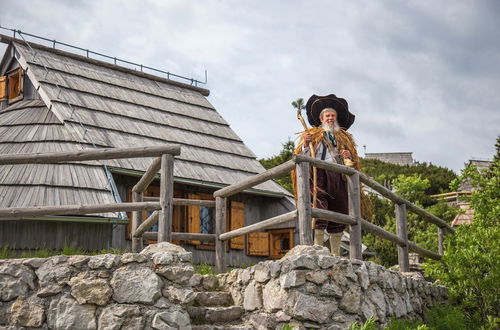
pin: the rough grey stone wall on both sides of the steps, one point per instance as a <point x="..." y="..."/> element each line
<point x="156" y="289"/>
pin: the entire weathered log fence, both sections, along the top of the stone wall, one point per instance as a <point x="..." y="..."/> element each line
<point x="164" y="163"/>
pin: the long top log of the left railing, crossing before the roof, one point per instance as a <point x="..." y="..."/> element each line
<point x="89" y="154"/>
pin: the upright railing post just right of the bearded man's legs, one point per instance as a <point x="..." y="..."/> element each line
<point x="355" y="251"/>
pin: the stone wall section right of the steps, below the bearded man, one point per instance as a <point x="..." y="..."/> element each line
<point x="312" y="289"/>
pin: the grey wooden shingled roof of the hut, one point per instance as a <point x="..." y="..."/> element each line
<point x="86" y="103"/>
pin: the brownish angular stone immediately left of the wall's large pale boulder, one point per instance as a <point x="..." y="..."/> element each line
<point x="90" y="290"/>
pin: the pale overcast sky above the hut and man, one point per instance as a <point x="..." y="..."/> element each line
<point x="420" y="76"/>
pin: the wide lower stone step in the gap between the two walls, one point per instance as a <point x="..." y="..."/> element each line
<point x="214" y="315"/>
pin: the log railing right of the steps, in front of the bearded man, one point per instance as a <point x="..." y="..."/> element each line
<point x="305" y="212"/>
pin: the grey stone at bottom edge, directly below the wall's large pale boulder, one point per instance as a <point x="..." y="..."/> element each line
<point x="121" y="317"/>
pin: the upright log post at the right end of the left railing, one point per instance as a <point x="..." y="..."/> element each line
<point x="166" y="198"/>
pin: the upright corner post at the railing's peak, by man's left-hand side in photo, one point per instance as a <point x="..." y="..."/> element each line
<point x="304" y="204"/>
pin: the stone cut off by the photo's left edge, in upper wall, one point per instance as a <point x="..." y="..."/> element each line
<point x="15" y="281"/>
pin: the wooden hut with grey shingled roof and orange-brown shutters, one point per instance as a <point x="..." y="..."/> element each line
<point x="52" y="100"/>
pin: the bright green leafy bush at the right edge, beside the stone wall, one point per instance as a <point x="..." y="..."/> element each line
<point x="470" y="267"/>
